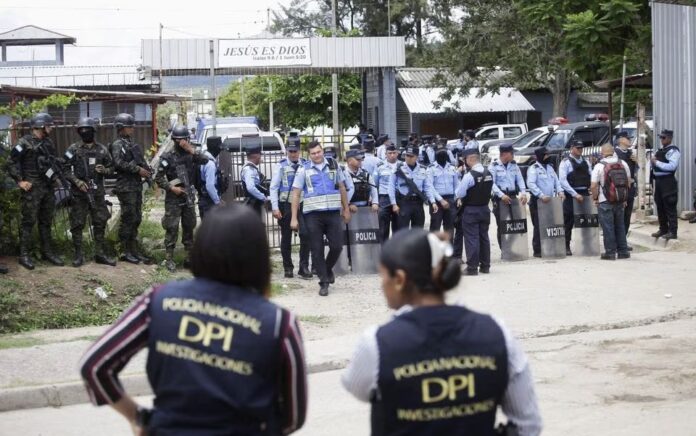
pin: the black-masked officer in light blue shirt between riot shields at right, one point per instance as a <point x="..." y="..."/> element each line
<point x="543" y="184"/>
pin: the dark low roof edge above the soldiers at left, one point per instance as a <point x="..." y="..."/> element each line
<point x="134" y="97"/>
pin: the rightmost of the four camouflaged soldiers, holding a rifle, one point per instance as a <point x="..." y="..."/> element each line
<point x="177" y="176"/>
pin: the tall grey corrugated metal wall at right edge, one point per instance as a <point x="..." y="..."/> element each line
<point x="674" y="86"/>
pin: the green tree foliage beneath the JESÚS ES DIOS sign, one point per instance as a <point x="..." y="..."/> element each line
<point x="299" y="101"/>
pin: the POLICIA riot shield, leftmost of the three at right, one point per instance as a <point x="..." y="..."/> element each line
<point x="513" y="231"/>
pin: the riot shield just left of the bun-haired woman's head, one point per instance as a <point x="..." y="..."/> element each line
<point x="363" y="241"/>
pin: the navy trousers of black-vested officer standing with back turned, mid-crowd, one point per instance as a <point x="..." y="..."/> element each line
<point x="475" y="223"/>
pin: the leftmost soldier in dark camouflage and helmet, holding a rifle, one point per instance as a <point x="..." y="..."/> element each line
<point x="34" y="166"/>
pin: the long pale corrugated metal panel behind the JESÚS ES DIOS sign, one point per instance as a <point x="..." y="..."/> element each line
<point x="338" y="54"/>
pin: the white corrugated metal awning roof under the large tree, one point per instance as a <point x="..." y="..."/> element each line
<point x="421" y="101"/>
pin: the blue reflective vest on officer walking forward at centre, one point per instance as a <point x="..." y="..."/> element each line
<point x="321" y="191"/>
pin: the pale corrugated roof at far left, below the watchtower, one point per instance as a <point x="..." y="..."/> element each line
<point x="76" y="76"/>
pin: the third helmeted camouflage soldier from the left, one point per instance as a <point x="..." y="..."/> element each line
<point x="131" y="168"/>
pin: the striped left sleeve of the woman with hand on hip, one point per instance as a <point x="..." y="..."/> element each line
<point x="105" y="359"/>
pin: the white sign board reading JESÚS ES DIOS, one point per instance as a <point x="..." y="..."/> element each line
<point x="263" y="52"/>
